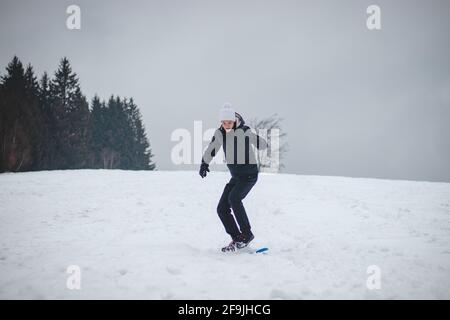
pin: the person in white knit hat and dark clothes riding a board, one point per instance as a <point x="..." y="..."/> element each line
<point x="237" y="139"/>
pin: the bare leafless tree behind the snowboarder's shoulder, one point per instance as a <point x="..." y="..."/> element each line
<point x="269" y="124"/>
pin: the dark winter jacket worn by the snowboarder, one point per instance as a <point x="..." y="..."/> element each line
<point x="243" y="160"/>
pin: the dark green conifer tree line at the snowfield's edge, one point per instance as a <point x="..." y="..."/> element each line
<point x="48" y="124"/>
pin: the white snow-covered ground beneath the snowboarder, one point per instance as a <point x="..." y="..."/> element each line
<point x="156" y="235"/>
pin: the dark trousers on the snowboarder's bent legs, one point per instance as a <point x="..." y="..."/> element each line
<point x="233" y="193"/>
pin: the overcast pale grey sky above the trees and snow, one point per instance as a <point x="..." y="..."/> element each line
<point x="356" y="102"/>
